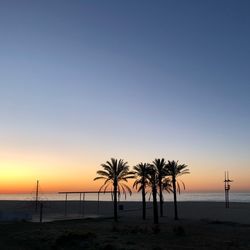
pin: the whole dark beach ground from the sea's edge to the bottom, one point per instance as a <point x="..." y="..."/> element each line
<point x="202" y="225"/>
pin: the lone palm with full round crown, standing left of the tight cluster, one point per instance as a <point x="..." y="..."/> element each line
<point x="114" y="173"/>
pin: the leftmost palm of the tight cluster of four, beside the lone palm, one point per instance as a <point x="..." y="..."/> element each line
<point x="141" y="173"/>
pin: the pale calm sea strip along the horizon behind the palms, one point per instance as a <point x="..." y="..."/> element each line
<point x="185" y="196"/>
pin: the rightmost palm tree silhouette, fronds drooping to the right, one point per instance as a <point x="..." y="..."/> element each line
<point x="175" y="170"/>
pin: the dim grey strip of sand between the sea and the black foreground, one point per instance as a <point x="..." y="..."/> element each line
<point x="238" y="212"/>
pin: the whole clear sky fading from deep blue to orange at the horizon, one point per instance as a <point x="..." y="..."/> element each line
<point x="84" y="81"/>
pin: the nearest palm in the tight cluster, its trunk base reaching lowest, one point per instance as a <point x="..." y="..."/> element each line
<point x="153" y="180"/>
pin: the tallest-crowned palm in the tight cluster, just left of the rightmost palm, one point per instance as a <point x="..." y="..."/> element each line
<point x="160" y="164"/>
